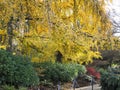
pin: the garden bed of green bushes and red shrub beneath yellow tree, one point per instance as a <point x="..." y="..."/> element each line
<point x="19" y="73"/>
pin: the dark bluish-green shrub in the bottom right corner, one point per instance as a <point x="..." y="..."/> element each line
<point x="110" y="80"/>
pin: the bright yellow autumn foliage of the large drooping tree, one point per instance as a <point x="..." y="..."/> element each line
<point x="77" y="29"/>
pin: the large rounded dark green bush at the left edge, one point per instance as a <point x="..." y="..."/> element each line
<point x="16" y="70"/>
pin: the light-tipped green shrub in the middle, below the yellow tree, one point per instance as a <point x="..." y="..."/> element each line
<point x="55" y="72"/>
